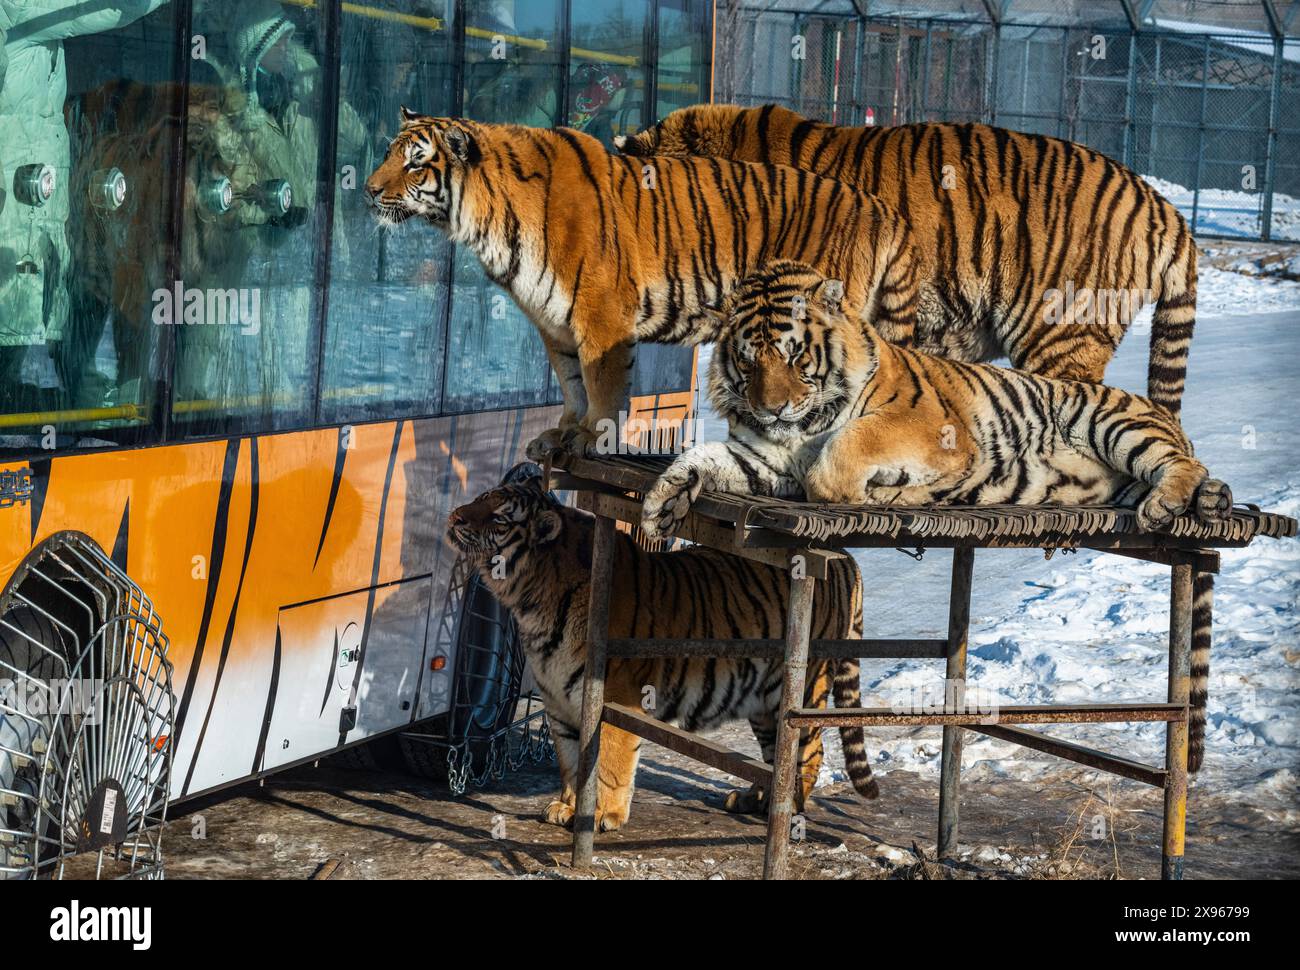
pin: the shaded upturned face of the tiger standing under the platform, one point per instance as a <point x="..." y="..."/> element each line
<point x="508" y="522"/>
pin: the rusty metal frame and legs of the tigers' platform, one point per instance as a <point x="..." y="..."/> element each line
<point x="612" y="493"/>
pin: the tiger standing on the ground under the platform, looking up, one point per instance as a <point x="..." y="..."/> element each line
<point x="547" y="552"/>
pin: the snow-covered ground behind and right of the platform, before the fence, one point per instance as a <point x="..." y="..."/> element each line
<point x="1091" y="627"/>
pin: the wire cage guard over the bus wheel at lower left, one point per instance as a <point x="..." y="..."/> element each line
<point x="86" y="720"/>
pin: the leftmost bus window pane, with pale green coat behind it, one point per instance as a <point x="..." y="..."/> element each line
<point x="89" y="137"/>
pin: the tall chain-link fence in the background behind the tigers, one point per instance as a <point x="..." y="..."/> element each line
<point x="1212" y="119"/>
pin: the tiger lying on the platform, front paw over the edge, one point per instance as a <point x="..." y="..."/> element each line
<point x="821" y="406"/>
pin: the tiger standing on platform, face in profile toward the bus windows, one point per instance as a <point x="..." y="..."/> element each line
<point x="601" y="250"/>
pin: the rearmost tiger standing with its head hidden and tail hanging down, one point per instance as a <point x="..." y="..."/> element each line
<point x="1019" y="232"/>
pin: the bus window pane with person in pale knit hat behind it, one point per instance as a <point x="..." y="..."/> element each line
<point x="244" y="301"/>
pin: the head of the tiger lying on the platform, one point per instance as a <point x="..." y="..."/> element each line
<point x="781" y="361"/>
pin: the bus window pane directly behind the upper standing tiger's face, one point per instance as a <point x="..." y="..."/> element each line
<point x="384" y="332"/>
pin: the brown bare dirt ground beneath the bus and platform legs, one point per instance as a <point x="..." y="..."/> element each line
<point x="332" y="822"/>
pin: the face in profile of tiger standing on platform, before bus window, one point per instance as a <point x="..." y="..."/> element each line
<point x="426" y="170"/>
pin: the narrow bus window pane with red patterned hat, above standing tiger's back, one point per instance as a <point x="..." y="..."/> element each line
<point x="608" y="77"/>
